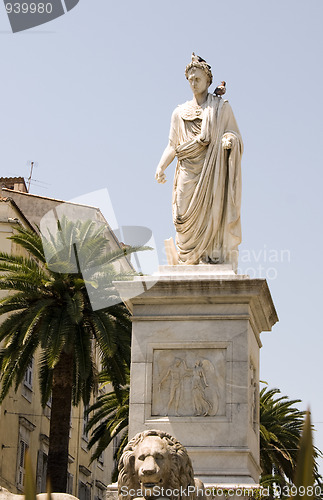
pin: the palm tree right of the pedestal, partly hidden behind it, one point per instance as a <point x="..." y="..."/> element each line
<point x="281" y="425"/>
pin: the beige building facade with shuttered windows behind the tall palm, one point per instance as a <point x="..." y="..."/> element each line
<point x="24" y="424"/>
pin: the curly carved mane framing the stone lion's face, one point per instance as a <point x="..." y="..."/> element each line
<point x="181" y="473"/>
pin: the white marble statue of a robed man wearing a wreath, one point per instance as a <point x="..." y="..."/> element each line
<point x="207" y="187"/>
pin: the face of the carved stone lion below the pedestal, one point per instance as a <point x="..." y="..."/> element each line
<point x="152" y="464"/>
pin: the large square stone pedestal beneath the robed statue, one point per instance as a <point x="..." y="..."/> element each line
<point x="195" y="365"/>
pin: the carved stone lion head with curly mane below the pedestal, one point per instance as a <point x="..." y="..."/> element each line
<point x="154" y="464"/>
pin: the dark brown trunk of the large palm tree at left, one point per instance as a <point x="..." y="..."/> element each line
<point x="60" y="423"/>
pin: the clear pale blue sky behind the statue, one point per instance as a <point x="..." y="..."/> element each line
<point x="89" y="97"/>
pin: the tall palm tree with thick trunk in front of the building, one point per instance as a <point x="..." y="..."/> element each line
<point x="50" y="309"/>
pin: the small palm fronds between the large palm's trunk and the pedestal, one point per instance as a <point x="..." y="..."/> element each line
<point x="109" y="420"/>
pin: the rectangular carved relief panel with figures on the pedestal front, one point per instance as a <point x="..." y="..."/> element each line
<point x="189" y="382"/>
